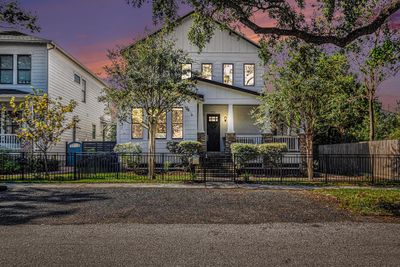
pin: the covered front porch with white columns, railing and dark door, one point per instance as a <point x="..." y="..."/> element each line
<point x="220" y="125"/>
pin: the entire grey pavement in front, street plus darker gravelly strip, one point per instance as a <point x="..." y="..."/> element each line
<point x="186" y="227"/>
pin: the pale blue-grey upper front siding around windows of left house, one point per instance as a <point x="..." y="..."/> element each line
<point x="39" y="72"/>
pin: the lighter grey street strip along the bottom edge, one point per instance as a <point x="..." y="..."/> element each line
<point x="276" y="244"/>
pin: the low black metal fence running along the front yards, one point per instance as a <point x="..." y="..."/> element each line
<point x="208" y="167"/>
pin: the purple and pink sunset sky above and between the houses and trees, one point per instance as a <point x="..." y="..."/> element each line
<point x="87" y="28"/>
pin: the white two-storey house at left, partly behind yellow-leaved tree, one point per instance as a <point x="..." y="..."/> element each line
<point x="28" y="62"/>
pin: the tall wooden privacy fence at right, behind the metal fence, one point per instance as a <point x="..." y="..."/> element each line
<point x="377" y="159"/>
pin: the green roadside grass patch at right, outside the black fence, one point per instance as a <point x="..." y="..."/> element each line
<point x="369" y="202"/>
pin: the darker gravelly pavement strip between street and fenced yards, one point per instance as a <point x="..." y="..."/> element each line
<point x="58" y="206"/>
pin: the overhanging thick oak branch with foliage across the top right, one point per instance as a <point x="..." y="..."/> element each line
<point x="338" y="22"/>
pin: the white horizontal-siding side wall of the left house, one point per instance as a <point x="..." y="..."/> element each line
<point x="62" y="84"/>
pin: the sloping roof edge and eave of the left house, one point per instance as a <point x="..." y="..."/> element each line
<point x="20" y="37"/>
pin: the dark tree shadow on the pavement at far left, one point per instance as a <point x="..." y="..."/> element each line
<point x="26" y="205"/>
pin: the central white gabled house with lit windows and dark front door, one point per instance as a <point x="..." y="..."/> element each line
<point x="232" y="79"/>
